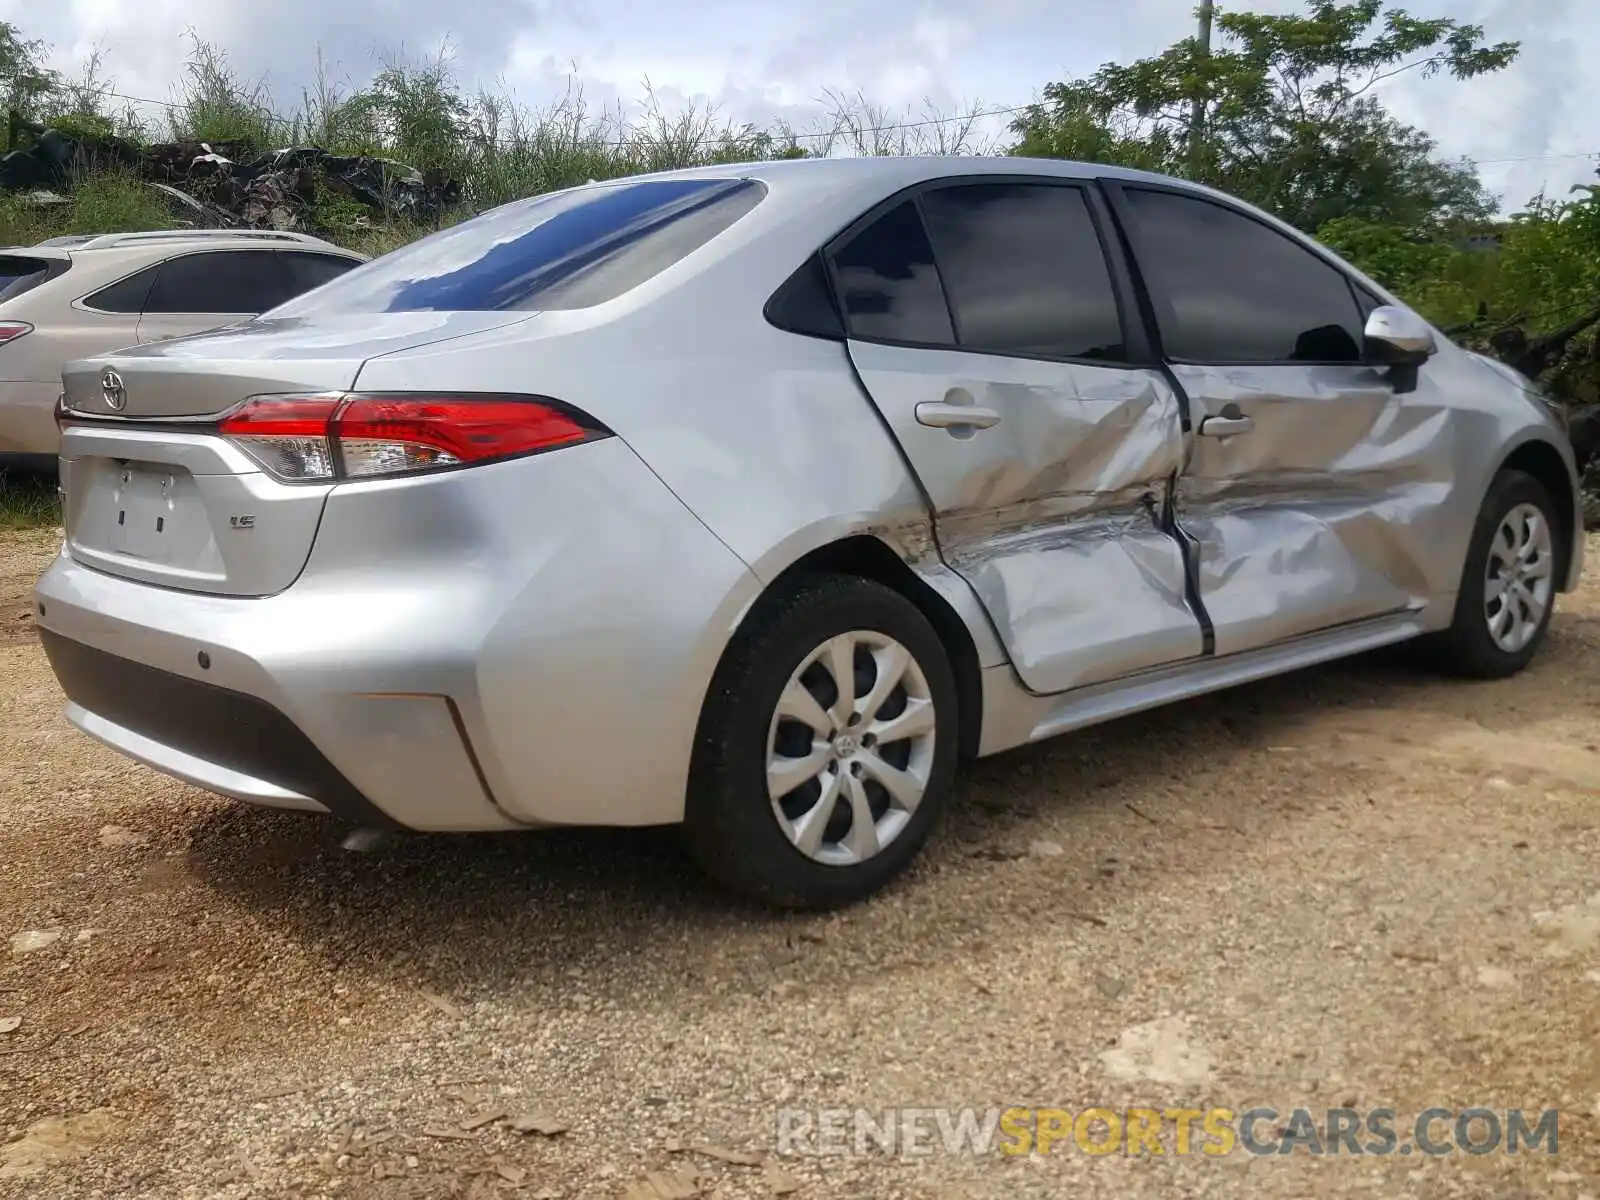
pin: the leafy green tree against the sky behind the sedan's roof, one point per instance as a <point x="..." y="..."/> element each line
<point x="1289" y="114"/>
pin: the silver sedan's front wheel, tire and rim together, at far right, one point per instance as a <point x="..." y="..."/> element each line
<point x="1508" y="586"/>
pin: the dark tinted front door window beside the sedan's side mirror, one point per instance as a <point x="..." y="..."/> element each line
<point x="1230" y="289"/>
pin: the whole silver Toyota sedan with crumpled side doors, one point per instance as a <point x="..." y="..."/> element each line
<point x="756" y="498"/>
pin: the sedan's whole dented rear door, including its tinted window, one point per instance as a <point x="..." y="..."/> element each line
<point x="993" y="332"/>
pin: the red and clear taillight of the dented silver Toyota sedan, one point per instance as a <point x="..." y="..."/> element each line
<point x="338" y="436"/>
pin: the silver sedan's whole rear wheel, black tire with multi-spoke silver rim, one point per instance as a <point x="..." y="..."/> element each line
<point x="826" y="750"/>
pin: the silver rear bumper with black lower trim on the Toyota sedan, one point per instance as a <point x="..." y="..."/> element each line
<point x="516" y="646"/>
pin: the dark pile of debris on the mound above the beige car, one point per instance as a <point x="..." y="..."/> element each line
<point x="220" y="185"/>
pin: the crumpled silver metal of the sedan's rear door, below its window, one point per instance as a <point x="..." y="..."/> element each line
<point x="1054" y="514"/>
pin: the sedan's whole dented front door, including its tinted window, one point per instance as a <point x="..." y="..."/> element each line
<point x="1311" y="484"/>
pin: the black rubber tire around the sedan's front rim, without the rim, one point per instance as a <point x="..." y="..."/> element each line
<point x="1468" y="647"/>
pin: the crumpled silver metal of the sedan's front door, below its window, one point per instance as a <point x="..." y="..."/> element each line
<point x="1324" y="511"/>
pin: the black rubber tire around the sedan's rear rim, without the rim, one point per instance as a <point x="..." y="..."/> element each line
<point x="730" y="826"/>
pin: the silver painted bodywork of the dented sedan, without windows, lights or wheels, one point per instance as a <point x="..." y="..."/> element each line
<point x="574" y="606"/>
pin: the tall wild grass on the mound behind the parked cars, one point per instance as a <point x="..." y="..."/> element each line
<point x="417" y="111"/>
